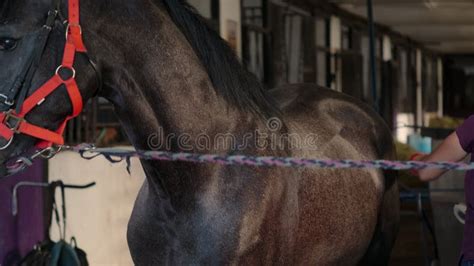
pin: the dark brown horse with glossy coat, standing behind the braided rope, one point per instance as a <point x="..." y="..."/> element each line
<point x="168" y="74"/>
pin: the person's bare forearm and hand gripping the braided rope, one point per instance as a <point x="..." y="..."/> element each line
<point x="450" y="150"/>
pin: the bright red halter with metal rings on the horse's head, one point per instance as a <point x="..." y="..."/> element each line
<point x="12" y="123"/>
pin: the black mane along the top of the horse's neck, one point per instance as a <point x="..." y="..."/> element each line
<point x="230" y="79"/>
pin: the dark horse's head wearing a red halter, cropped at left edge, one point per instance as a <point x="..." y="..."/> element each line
<point x="45" y="74"/>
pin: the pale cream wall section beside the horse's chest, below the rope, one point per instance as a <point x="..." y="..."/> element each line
<point x="98" y="216"/>
